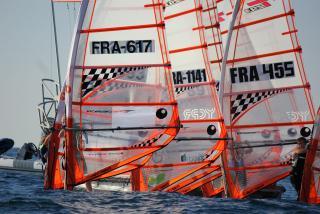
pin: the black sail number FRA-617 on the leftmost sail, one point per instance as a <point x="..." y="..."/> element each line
<point x="122" y="47"/>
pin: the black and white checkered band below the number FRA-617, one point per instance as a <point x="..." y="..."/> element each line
<point x="92" y="78"/>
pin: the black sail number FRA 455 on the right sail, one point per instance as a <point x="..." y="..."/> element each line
<point x="262" y="72"/>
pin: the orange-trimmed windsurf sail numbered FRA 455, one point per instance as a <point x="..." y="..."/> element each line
<point x="266" y="95"/>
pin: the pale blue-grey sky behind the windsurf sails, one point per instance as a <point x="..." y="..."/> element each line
<point x="27" y="55"/>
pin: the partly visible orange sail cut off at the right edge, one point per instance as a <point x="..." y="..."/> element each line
<point x="310" y="191"/>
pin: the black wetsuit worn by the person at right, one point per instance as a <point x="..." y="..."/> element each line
<point x="297" y="171"/>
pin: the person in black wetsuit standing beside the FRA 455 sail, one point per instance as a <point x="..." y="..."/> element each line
<point x="298" y="159"/>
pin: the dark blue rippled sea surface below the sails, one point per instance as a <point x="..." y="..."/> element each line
<point x="22" y="192"/>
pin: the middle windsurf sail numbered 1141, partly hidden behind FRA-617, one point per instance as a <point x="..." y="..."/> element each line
<point x="190" y="161"/>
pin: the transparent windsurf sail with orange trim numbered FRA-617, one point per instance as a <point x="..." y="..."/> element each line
<point x="117" y="105"/>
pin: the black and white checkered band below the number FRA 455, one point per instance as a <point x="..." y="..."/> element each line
<point x="242" y="102"/>
